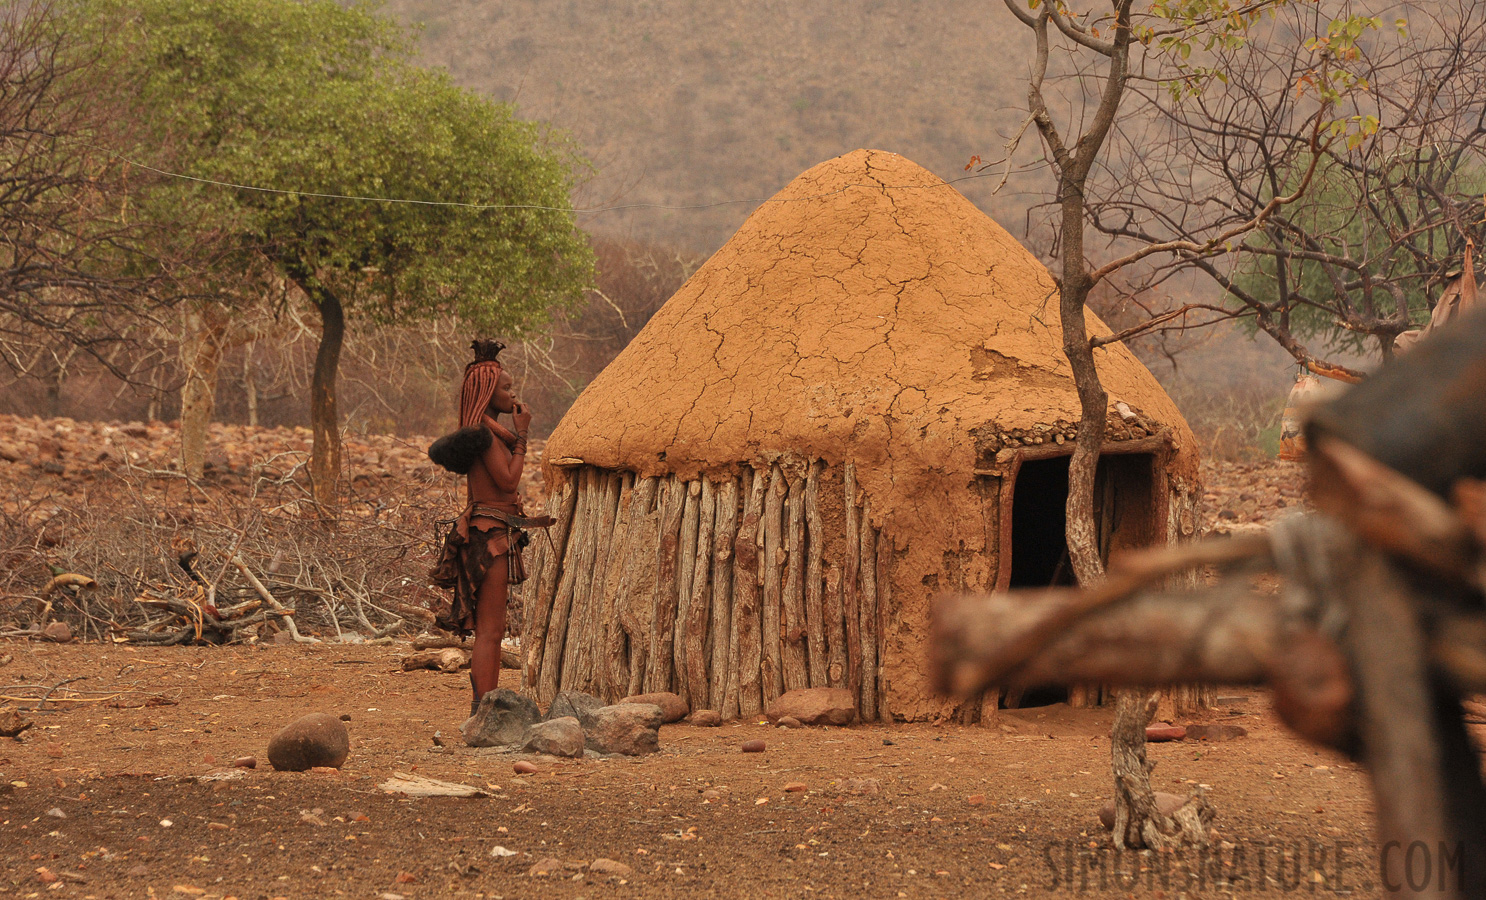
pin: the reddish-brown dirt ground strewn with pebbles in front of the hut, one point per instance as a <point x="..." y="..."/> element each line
<point x="114" y="801"/>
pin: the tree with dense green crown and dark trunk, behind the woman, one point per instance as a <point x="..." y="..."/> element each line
<point x="283" y="111"/>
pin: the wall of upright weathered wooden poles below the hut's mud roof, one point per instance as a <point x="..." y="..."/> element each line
<point x="727" y="590"/>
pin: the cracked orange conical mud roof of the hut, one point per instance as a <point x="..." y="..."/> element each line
<point x="867" y="313"/>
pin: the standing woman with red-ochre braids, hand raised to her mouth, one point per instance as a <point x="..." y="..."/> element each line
<point x="482" y="555"/>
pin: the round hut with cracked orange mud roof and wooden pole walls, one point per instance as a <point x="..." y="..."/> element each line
<point x="858" y="403"/>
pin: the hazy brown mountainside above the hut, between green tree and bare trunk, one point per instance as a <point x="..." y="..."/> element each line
<point x="686" y="103"/>
